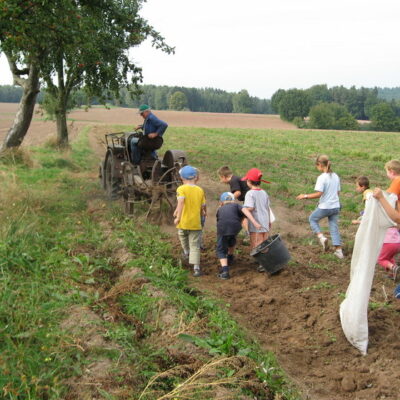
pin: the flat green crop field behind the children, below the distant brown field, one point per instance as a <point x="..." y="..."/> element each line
<point x="287" y="157"/>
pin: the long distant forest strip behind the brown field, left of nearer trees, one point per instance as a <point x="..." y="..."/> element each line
<point x="167" y="98"/>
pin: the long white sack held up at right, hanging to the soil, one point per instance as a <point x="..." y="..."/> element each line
<point x="367" y="246"/>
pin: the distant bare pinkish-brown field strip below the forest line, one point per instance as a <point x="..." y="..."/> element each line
<point x="41" y="130"/>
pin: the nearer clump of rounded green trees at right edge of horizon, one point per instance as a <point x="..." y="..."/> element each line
<point x="338" y="107"/>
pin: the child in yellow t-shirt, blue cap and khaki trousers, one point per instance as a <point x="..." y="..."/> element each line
<point x="191" y="205"/>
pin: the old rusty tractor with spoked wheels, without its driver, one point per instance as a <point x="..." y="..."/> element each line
<point x="153" y="181"/>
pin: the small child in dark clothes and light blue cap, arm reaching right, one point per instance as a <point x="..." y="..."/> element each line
<point x="229" y="219"/>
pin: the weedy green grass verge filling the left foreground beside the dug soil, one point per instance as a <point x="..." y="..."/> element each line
<point x="54" y="254"/>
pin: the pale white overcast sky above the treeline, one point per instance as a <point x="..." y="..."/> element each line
<point x="266" y="45"/>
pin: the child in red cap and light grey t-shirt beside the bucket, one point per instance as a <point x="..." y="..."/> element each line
<point x="257" y="203"/>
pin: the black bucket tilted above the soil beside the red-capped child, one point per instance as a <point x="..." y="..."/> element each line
<point x="272" y="254"/>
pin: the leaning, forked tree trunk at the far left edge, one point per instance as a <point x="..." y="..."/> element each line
<point x="23" y="117"/>
